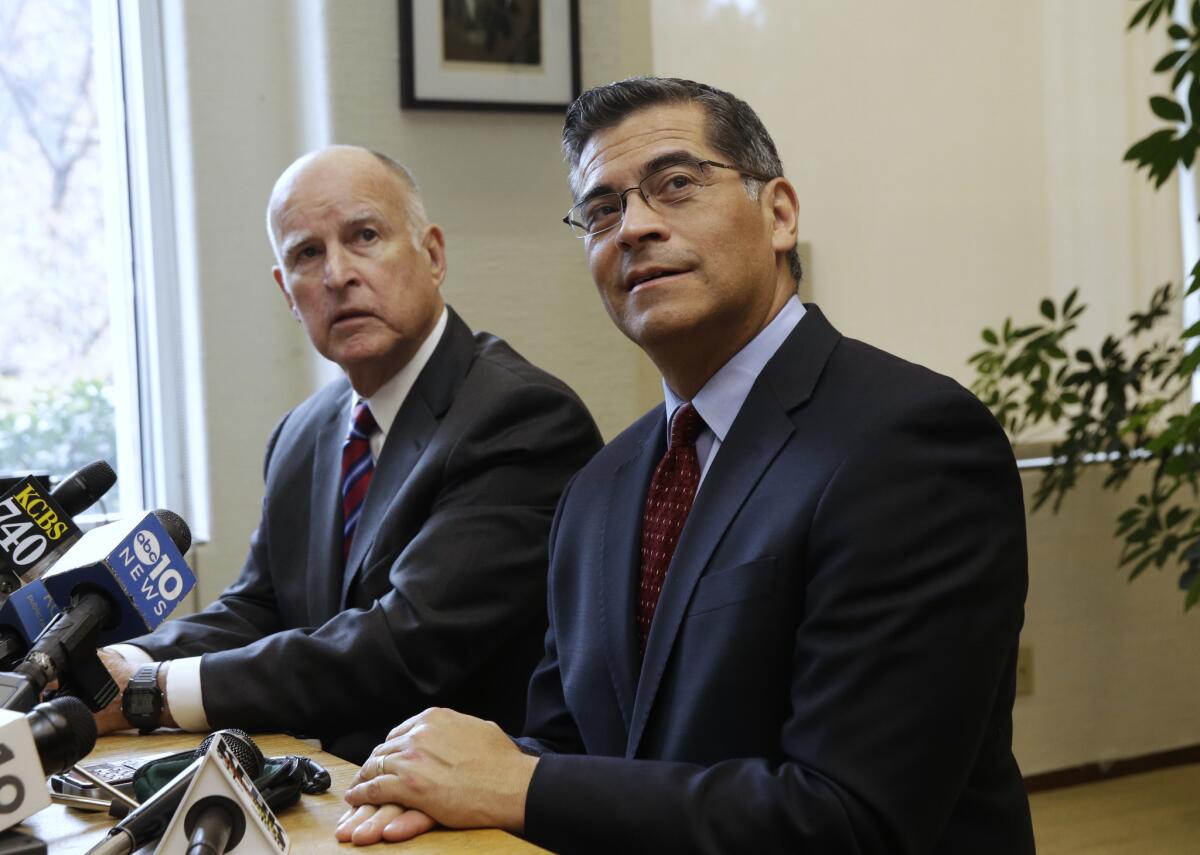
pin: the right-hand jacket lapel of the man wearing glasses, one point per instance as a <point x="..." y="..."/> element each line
<point x="755" y="439"/>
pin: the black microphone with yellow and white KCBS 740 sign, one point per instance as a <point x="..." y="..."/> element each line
<point x="37" y="527"/>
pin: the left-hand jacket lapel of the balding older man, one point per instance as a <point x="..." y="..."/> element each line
<point x="326" y="505"/>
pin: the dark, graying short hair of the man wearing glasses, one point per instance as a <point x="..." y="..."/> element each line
<point x="734" y="129"/>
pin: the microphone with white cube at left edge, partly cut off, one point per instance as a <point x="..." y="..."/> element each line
<point x="51" y="739"/>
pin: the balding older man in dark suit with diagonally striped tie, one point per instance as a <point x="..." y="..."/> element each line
<point x="401" y="555"/>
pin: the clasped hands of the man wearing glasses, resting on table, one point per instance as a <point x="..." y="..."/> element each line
<point x="443" y="768"/>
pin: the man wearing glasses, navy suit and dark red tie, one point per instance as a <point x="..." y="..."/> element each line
<point x="784" y="608"/>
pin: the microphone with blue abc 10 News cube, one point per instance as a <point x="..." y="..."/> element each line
<point x="118" y="582"/>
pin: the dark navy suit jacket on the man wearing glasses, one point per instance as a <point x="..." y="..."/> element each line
<point x="831" y="668"/>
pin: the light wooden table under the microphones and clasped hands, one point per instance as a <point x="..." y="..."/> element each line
<point x="310" y="824"/>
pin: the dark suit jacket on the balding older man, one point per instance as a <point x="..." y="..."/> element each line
<point x="443" y="599"/>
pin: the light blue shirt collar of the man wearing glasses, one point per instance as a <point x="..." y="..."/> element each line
<point x="721" y="399"/>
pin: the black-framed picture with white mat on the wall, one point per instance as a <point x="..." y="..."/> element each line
<point x="489" y="55"/>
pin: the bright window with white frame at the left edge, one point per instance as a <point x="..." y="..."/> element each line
<point x="93" y="325"/>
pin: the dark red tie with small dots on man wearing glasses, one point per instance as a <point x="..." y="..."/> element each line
<point x="668" y="503"/>
